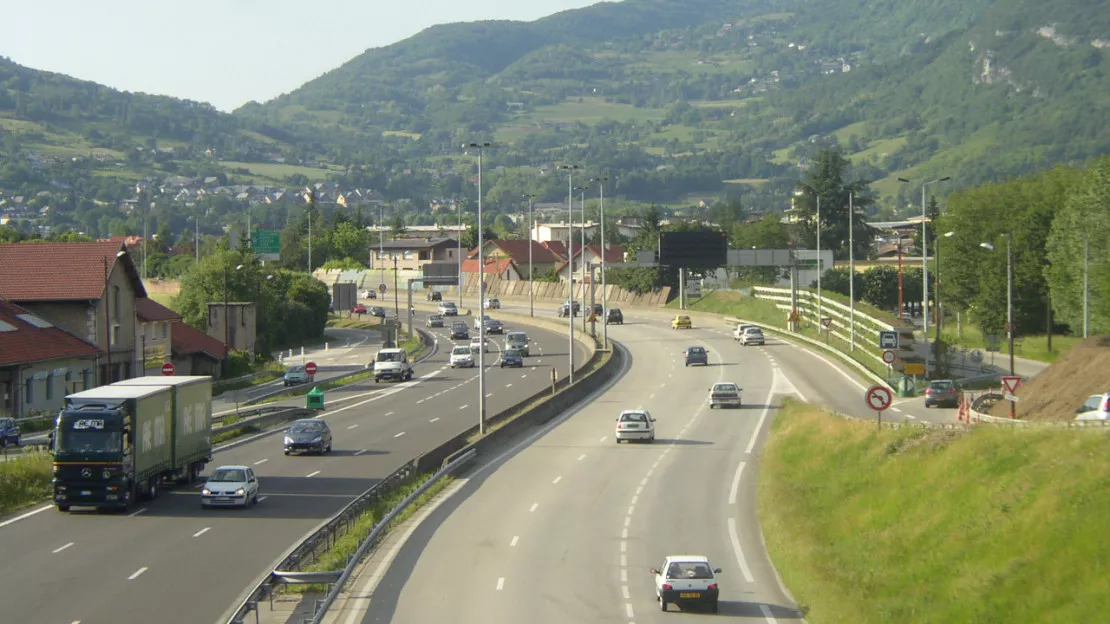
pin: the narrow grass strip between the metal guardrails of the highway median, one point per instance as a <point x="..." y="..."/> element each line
<point x="347" y="546"/>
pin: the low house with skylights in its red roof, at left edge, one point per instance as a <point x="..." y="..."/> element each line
<point x="41" y="364"/>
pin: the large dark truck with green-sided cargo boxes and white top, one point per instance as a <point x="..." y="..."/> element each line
<point x="118" y="445"/>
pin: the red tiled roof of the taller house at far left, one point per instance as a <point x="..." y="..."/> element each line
<point x="60" y="271"/>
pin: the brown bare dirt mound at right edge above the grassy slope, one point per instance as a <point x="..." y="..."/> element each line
<point x="1057" y="392"/>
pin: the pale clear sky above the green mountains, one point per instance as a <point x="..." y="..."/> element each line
<point x="226" y="53"/>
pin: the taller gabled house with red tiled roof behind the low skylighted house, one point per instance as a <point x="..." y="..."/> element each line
<point x="67" y="284"/>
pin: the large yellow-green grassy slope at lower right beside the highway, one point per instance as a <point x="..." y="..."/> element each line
<point x="993" y="525"/>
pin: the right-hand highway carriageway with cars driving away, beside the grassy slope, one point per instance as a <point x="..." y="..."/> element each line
<point x="566" y="529"/>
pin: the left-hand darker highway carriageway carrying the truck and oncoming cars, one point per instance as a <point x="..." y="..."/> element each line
<point x="173" y="562"/>
